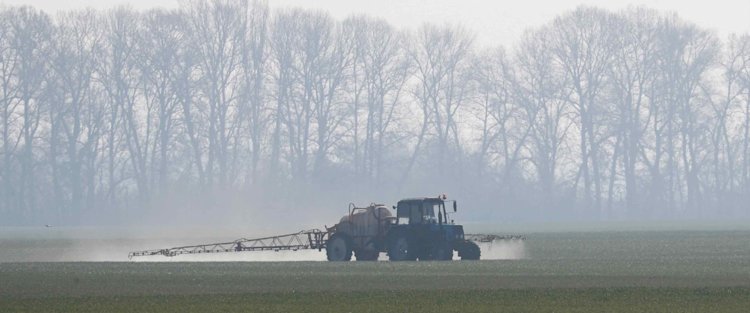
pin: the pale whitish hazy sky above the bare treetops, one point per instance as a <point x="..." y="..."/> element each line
<point x="493" y="21"/>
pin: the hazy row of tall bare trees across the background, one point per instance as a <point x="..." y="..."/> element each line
<point x="222" y="102"/>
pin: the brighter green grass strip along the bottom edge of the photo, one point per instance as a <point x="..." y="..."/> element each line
<point x="525" y="300"/>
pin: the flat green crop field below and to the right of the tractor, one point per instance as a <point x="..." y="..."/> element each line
<point x="694" y="271"/>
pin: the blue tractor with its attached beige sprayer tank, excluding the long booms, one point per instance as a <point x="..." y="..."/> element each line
<point x="421" y="230"/>
